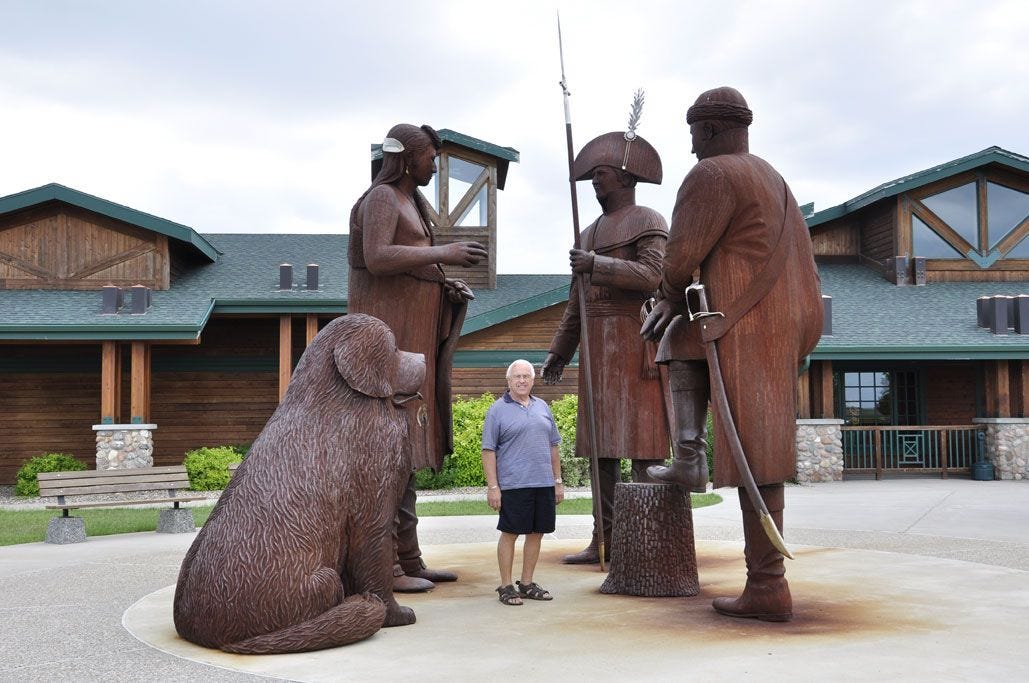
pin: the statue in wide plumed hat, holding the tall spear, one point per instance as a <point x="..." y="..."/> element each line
<point x="621" y="254"/>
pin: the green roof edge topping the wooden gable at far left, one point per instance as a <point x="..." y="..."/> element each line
<point x="56" y="193"/>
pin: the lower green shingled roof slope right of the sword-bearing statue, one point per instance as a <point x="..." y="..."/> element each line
<point x="876" y="320"/>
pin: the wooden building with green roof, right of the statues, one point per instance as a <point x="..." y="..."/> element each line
<point x="908" y="367"/>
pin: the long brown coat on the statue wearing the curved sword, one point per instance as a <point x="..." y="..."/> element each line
<point x="728" y="213"/>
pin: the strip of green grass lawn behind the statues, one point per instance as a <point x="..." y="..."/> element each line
<point x="30" y="526"/>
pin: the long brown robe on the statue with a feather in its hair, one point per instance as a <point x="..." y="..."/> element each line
<point x="416" y="309"/>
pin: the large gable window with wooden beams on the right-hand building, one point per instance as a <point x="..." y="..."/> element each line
<point x="982" y="218"/>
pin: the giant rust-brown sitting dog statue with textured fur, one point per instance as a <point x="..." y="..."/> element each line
<point x="298" y="554"/>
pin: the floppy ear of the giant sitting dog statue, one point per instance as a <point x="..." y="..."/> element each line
<point x="366" y="356"/>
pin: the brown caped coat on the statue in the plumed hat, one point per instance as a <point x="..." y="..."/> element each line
<point x="629" y="410"/>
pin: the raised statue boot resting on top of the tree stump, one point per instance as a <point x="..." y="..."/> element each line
<point x="689" y="382"/>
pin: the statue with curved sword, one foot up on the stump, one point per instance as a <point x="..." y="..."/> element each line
<point x="736" y="221"/>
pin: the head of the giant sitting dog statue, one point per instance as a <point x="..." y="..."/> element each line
<point x="367" y="356"/>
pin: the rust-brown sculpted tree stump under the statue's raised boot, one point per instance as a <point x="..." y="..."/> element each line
<point x="653" y="553"/>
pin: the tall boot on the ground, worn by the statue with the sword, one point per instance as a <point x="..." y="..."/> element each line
<point x="766" y="595"/>
